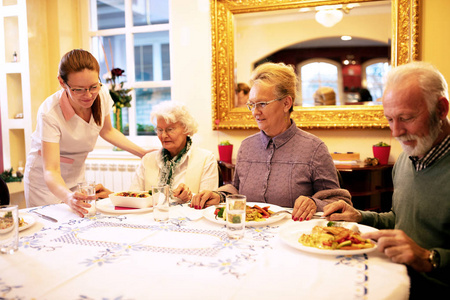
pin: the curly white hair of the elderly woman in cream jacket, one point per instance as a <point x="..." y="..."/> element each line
<point x="173" y="112"/>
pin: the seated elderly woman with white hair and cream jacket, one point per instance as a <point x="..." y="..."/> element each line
<point x="184" y="167"/>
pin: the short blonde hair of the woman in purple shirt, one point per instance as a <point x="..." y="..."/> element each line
<point x="280" y="75"/>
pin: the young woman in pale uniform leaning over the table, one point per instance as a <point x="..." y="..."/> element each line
<point x="68" y="125"/>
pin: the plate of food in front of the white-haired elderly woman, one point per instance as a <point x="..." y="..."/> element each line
<point x="126" y="202"/>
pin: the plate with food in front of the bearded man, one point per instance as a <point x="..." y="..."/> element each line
<point x="328" y="238"/>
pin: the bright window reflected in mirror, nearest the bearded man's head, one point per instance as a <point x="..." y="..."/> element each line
<point x="374" y="73"/>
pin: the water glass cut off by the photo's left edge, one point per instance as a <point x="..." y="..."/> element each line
<point x="9" y="229"/>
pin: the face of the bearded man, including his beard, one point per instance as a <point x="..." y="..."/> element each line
<point x="409" y="119"/>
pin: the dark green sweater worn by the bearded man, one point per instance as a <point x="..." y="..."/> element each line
<point x="421" y="208"/>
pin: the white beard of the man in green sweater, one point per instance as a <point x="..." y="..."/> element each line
<point x="424" y="143"/>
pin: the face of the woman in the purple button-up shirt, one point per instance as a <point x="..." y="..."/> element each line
<point x="273" y="119"/>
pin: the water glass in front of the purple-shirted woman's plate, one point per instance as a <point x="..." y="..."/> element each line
<point x="235" y="214"/>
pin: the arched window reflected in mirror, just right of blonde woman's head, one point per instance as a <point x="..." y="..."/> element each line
<point x="317" y="73"/>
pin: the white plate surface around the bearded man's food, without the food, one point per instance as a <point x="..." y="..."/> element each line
<point x="290" y="233"/>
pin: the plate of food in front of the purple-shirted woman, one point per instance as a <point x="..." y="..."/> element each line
<point x="257" y="214"/>
